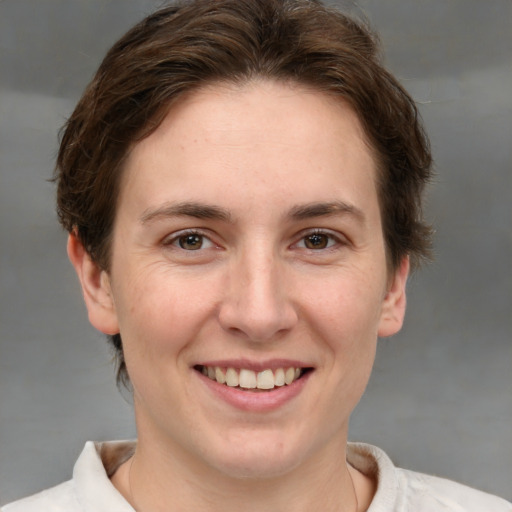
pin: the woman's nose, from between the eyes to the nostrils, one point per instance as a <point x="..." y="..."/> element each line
<point x="256" y="303"/>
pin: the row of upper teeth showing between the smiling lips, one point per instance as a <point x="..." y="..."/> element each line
<point x="249" y="380"/>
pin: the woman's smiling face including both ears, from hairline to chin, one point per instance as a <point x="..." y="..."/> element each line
<point x="248" y="247"/>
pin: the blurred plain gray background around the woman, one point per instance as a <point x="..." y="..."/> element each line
<point x="440" y="400"/>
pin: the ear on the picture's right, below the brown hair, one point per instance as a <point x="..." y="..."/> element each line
<point x="393" y="306"/>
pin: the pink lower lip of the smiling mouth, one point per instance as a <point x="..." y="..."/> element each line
<point x="256" y="401"/>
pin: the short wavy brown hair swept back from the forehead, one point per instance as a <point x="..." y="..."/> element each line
<point x="190" y="44"/>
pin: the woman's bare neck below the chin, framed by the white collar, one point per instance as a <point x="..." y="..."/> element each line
<point x="152" y="479"/>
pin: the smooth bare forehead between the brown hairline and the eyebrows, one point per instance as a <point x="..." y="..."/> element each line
<point x="260" y="139"/>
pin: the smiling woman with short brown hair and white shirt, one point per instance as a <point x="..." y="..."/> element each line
<point x="242" y="186"/>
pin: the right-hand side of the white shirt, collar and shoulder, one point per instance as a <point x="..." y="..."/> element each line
<point x="400" y="490"/>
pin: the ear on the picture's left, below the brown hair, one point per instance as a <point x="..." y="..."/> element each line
<point x="96" y="288"/>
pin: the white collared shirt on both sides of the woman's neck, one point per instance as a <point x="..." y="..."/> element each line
<point x="398" y="490"/>
